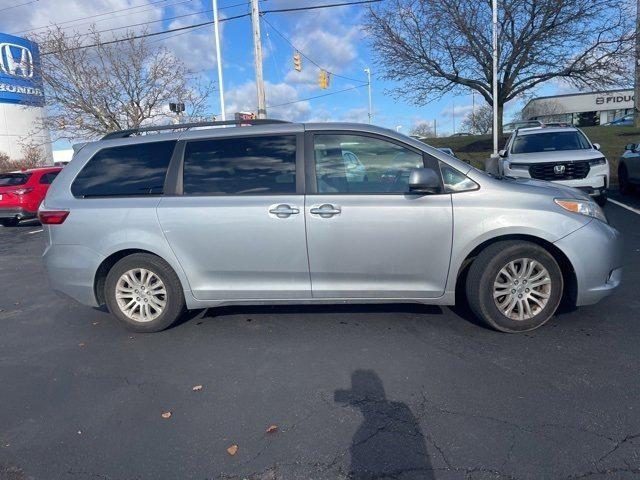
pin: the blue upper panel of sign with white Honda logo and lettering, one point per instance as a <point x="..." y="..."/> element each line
<point x="20" y="79"/>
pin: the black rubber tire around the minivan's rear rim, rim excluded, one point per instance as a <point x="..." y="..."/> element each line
<point x="174" y="297"/>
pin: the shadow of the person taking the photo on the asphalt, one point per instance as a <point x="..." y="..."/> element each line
<point x="389" y="443"/>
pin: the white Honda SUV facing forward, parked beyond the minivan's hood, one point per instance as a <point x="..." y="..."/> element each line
<point x="557" y="154"/>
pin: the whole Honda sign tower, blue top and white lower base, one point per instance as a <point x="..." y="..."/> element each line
<point x="21" y="98"/>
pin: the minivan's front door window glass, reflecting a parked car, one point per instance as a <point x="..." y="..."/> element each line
<point x="359" y="164"/>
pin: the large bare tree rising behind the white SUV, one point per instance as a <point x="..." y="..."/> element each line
<point x="433" y="47"/>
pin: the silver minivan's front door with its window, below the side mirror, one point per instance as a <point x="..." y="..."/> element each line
<point x="368" y="238"/>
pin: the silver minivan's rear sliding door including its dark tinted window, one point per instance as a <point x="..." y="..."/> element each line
<point x="238" y="227"/>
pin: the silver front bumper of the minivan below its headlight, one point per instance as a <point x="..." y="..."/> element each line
<point x="595" y="252"/>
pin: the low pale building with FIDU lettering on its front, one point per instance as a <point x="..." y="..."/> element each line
<point x="581" y="109"/>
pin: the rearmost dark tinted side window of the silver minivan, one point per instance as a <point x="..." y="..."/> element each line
<point x="125" y="171"/>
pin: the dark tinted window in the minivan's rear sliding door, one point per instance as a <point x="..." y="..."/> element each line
<point x="241" y="166"/>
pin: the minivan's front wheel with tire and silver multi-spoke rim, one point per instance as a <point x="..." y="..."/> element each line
<point x="514" y="286"/>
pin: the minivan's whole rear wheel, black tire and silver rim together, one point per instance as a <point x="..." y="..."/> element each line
<point x="144" y="293"/>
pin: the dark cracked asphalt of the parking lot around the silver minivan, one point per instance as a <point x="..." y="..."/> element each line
<point x="391" y="391"/>
